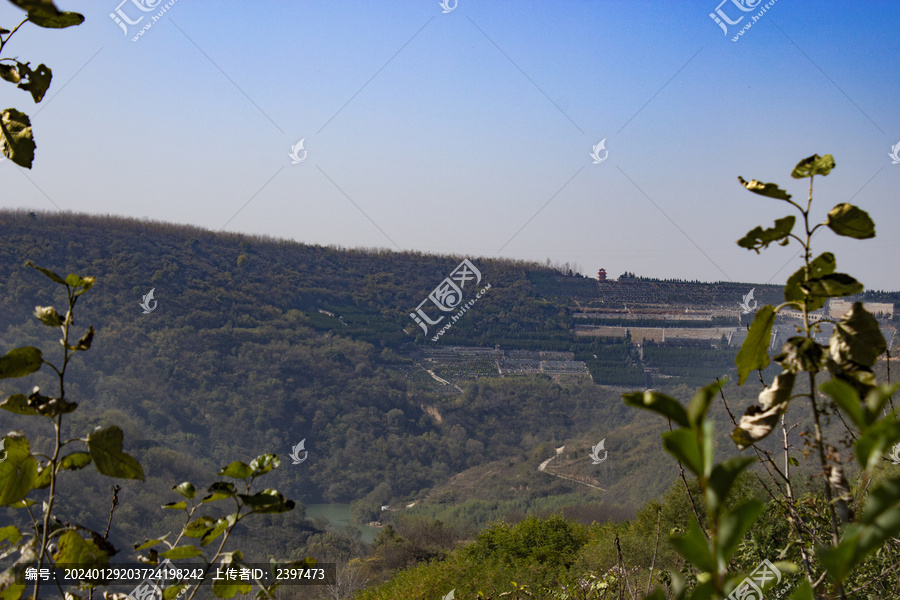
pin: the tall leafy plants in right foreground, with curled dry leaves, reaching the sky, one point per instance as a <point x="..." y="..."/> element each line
<point x="855" y="345"/>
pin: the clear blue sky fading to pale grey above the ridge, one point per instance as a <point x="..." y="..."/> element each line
<point x="470" y="132"/>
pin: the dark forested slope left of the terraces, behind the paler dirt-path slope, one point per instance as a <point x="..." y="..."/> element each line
<point x="235" y="360"/>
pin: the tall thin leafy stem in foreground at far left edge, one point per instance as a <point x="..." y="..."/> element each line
<point x="50" y="541"/>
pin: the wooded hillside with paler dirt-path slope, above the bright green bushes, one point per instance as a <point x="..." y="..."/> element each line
<point x="256" y="344"/>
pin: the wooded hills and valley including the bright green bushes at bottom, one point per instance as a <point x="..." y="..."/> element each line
<point x="239" y="359"/>
